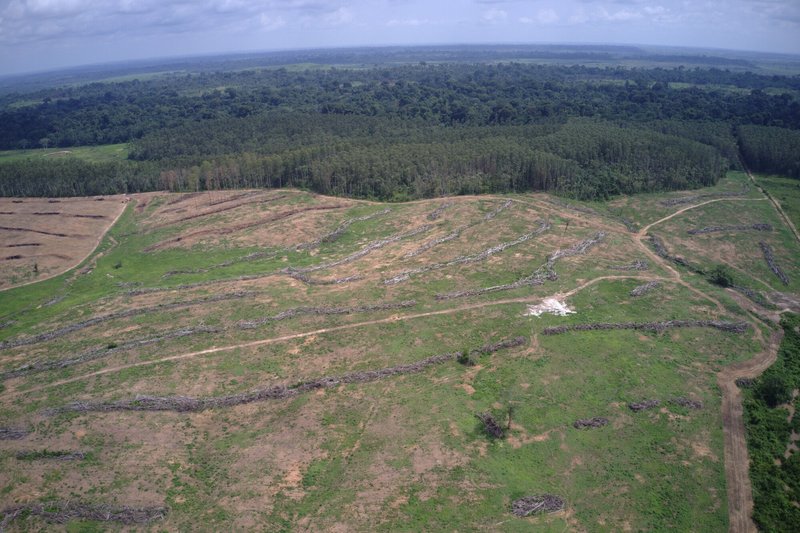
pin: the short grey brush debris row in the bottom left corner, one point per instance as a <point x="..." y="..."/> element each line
<point x="63" y="512"/>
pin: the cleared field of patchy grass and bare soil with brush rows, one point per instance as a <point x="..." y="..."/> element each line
<point x="277" y="360"/>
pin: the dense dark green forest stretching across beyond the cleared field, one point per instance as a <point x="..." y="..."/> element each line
<point x="409" y="131"/>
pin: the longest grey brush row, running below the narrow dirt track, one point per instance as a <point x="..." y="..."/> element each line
<point x="276" y="392"/>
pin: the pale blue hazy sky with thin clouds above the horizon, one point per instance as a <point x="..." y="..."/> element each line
<point x="38" y="35"/>
